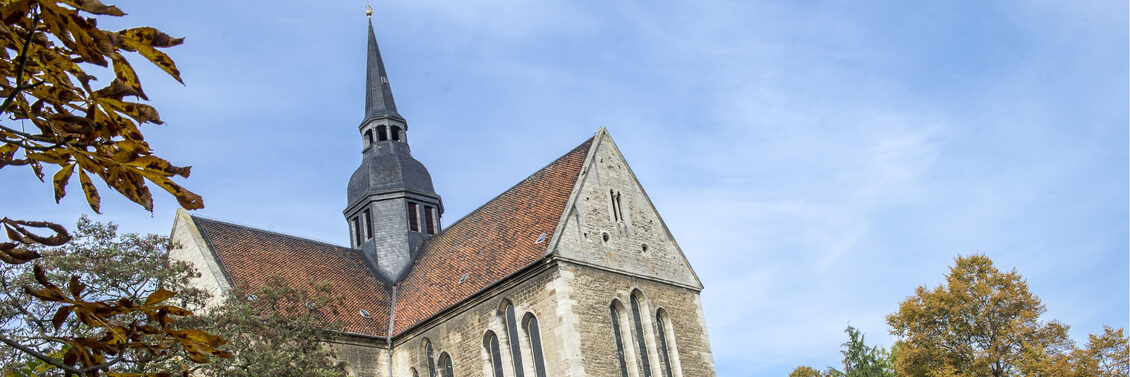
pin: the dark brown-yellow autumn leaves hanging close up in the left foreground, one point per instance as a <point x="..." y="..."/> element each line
<point x="55" y="117"/>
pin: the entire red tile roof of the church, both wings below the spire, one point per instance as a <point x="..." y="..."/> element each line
<point x="491" y="243"/>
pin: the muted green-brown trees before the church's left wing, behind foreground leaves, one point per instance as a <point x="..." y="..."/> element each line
<point x="281" y="332"/>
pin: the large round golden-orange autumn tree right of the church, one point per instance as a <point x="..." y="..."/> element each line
<point x="983" y="322"/>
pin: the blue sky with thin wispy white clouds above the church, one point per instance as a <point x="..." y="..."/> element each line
<point x="816" y="161"/>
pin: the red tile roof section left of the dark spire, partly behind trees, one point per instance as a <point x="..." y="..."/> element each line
<point x="250" y="257"/>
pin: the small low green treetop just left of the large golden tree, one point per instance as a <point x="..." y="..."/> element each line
<point x="860" y="361"/>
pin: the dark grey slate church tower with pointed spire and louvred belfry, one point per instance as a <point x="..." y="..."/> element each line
<point x="393" y="206"/>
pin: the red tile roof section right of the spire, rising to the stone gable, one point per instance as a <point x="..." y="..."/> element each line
<point x="489" y="244"/>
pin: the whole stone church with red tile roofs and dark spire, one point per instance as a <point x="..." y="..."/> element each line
<point x="570" y="273"/>
